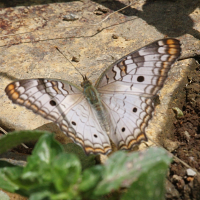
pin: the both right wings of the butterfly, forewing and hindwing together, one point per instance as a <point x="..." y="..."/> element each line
<point x="128" y="85"/>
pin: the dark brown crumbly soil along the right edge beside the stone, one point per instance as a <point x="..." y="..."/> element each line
<point x="187" y="135"/>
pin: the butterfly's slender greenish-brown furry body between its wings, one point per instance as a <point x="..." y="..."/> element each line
<point x="93" y="97"/>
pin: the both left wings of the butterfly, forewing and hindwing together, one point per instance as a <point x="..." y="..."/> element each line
<point x="63" y="103"/>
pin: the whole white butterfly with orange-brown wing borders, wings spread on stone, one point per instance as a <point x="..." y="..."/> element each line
<point x="118" y="107"/>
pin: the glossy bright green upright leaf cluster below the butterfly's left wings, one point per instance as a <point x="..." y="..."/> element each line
<point x="50" y="172"/>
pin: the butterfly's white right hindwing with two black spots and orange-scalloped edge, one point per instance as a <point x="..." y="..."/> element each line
<point x="129" y="114"/>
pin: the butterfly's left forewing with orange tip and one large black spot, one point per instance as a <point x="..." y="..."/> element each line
<point x="45" y="97"/>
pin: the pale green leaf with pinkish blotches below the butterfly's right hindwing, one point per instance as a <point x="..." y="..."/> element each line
<point x="123" y="169"/>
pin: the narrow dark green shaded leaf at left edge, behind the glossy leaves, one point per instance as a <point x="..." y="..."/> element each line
<point x="15" y="138"/>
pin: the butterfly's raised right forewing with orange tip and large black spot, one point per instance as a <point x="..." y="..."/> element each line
<point x="141" y="72"/>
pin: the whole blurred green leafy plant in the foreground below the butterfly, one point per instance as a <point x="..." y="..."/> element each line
<point x="55" y="174"/>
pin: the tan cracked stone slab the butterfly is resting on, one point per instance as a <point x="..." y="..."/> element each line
<point x="29" y="35"/>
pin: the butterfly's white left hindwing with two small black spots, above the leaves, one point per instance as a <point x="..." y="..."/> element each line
<point x="87" y="130"/>
